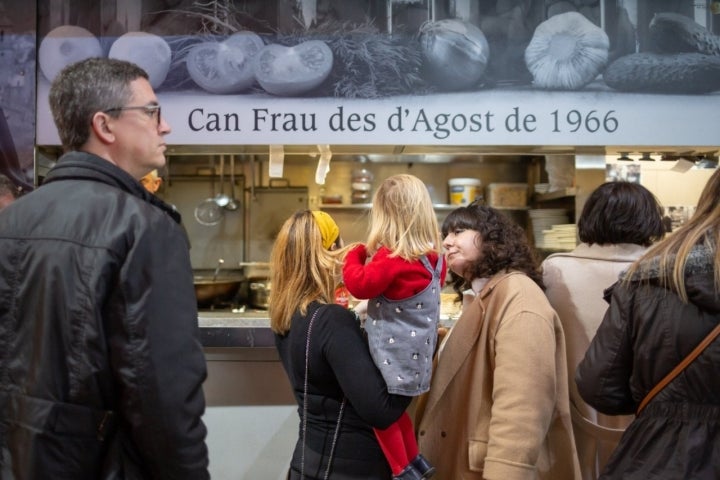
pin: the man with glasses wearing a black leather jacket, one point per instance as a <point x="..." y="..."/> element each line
<point x="101" y="369"/>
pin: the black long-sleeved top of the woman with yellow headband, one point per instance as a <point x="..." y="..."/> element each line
<point x="339" y="366"/>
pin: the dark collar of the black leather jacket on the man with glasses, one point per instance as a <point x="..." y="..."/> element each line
<point x="87" y="166"/>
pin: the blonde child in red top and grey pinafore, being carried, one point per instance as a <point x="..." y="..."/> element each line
<point x="402" y="281"/>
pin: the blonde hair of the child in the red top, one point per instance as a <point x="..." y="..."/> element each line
<point x="402" y="218"/>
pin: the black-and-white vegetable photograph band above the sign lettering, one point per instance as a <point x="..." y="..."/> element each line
<point x="384" y="48"/>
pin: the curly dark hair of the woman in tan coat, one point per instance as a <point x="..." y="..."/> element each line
<point x="504" y="245"/>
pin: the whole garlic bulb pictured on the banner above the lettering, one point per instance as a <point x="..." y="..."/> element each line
<point x="567" y="51"/>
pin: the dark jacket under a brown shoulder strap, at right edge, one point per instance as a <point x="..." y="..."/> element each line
<point x="646" y="332"/>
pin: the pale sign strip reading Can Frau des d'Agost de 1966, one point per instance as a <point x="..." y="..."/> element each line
<point x="478" y="118"/>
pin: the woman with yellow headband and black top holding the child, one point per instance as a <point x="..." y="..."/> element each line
<point x="340" y="393"/>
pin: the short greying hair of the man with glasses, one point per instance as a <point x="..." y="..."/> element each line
<point x="84" y="88"/>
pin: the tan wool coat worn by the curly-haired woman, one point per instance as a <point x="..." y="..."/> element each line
<point x="498" y="405"/>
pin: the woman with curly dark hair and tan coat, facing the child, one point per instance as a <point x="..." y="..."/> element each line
<point x="498" y="405"/>
